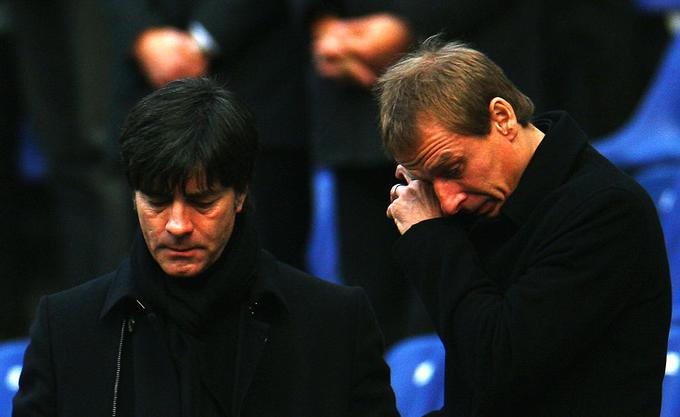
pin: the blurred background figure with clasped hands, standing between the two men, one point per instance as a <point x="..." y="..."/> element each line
<point x="352" y="42"/>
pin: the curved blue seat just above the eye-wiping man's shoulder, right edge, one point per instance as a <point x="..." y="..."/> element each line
<point x="653" y="134"/>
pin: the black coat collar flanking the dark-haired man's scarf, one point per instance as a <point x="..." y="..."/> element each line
<point x="266" y="294"/>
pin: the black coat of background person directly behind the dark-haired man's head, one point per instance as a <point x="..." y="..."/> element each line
<point x="261" y="57"/>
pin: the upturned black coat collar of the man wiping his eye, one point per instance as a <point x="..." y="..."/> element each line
<point x="550" y="166"/>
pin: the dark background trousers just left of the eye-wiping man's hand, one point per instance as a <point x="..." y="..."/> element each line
<point x="366" y="237"/>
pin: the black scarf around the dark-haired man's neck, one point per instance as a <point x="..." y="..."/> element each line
<point x="201" y="316"/>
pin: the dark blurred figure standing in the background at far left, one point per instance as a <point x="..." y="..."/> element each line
<point x="63" y="77"/>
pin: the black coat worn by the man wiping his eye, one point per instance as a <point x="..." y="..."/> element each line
<point x="561" y="306"/>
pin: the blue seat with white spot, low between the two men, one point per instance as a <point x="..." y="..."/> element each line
<point x="417" y="365"/>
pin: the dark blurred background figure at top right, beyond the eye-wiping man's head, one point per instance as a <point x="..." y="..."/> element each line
<point x="599" y="57"/>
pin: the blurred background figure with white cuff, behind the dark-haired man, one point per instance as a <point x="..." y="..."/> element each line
<point x="257" y="50"/>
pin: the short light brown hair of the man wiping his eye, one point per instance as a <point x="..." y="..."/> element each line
<point x="449" y="82"/>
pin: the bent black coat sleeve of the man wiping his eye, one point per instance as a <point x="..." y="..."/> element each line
<point x="504" y="341"/>
